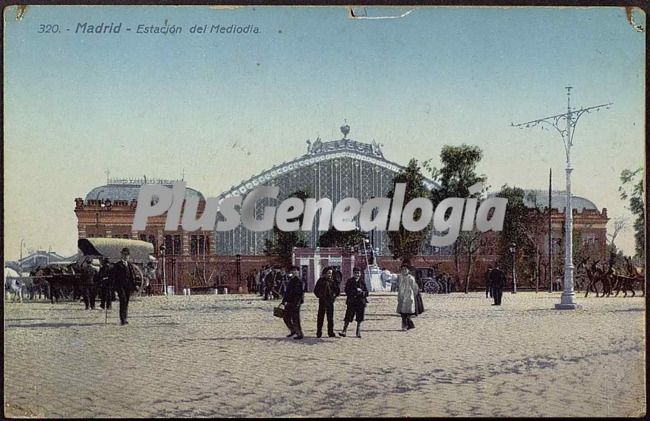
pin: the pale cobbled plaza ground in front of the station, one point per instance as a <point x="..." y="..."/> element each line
<point x="226" y="355"/>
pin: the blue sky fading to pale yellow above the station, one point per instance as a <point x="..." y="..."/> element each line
<point x="218" y="108"/>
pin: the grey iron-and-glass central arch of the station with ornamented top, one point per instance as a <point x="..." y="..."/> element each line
<point x="335" y="169"/>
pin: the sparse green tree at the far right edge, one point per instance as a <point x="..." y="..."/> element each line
<point x="631" y="189"/>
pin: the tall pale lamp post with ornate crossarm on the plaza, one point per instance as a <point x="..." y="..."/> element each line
<point x="565" y="124"/>
